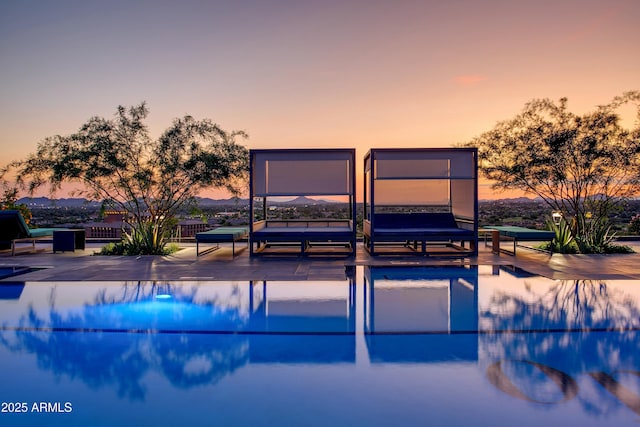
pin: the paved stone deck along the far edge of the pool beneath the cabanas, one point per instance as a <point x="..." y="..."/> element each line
<point x="83" y="265"/>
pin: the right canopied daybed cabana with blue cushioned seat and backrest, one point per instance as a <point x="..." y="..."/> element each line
<point x="421" y="196"/>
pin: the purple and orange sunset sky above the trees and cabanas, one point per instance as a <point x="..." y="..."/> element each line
<point x="296" y="74"/>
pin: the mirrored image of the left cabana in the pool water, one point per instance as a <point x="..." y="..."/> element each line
<point x="313" y="324"/>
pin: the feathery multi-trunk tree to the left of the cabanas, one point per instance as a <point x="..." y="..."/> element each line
<point x="116" y="161"/>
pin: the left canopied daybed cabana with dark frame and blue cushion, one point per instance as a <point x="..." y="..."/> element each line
<point x="278" y="174"/>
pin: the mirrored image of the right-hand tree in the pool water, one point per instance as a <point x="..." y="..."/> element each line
<point x="576" y="327"/>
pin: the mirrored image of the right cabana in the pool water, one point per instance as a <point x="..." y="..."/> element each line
<point x="437" y="304"/>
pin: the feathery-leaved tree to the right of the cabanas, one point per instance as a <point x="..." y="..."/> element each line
<point x="581" y="165"/>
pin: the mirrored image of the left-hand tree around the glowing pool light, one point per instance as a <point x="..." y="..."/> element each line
<point x="119" y="358"/>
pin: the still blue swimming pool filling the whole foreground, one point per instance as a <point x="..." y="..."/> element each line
<point x="481" y="345"/>
